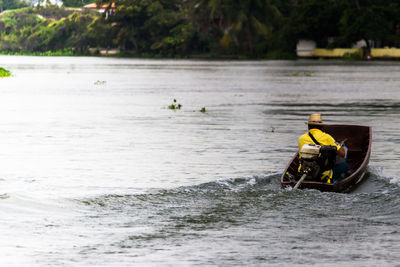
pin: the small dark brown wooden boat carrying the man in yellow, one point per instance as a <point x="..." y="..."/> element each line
<point x="359" y="139"/>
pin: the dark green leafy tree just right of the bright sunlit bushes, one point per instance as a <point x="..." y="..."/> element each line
<point x="156" y="27"/>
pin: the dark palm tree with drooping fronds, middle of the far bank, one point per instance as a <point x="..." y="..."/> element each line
<point x="243" y="26"/>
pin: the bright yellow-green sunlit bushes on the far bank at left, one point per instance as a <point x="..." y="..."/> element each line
<point x="48" y="29"/>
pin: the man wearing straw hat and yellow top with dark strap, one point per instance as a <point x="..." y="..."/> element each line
<point x="315" y="135"/>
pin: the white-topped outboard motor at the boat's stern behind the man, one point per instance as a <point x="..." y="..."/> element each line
<point x="315" y="159"/>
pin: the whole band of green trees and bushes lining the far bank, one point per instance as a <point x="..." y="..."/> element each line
<point x="202" y="29"/>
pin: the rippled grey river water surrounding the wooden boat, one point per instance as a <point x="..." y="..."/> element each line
<point x="97" y="171"/>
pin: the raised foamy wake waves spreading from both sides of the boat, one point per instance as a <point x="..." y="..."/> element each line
<point x="244" y="188"/>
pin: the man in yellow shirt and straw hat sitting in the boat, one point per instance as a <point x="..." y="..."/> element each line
<point x="331" y="171"/>
